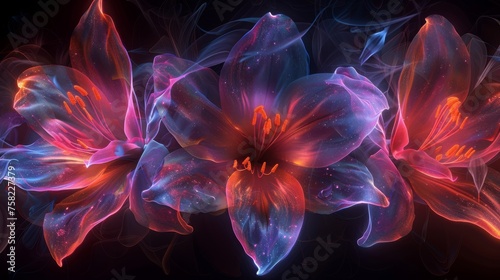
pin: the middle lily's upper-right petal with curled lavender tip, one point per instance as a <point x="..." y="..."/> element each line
<point x="329" y="117"/>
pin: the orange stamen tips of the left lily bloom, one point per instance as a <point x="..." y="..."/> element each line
<point x="77" y="103"/>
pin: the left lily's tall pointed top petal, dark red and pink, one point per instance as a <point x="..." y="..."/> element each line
<point x="97" y="50"/>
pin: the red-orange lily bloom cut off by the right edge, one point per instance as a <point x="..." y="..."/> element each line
<point x="448" y="124"/>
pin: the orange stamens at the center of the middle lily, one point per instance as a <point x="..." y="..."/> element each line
<point x="266" y="132"/>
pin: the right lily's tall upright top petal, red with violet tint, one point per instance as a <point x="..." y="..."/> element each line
<point x="437" y="66"/>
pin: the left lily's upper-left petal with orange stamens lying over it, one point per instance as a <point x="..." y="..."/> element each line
<point x="60" y="105"/>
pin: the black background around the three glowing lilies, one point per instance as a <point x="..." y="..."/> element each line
<point x="212" y="251"/>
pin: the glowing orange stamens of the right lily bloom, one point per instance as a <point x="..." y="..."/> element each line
<point x="449" y="121"/>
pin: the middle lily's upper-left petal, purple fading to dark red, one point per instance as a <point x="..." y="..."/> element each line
<point x="195" y="122"/>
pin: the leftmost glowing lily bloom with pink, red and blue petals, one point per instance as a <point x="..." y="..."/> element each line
<point x="91" y="139"/>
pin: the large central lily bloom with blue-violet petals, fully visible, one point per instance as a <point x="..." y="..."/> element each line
<point x="265" y="139"/>
